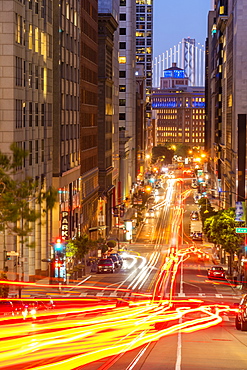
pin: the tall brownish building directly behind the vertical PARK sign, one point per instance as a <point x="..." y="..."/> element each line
<point x="66" y="124"/>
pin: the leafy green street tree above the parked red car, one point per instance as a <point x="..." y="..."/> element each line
<point x="220" y="230"/>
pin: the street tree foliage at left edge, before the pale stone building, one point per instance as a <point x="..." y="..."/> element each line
<point x="19" y="196"/>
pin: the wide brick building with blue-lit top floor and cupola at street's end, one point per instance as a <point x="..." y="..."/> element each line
<point x="179" y="110"/>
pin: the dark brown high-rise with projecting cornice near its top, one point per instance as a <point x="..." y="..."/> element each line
<point x="108" y="136"/>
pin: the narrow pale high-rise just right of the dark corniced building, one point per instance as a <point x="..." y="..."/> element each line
<point x="127" y="96"/>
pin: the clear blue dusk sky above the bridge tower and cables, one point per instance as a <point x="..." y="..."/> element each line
<point x="175" y="20"/>
